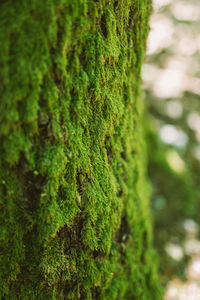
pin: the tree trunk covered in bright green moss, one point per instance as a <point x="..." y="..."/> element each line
<point x="74" y="200"/>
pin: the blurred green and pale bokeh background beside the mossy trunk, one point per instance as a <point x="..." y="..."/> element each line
<point x="172" y="87"/>
